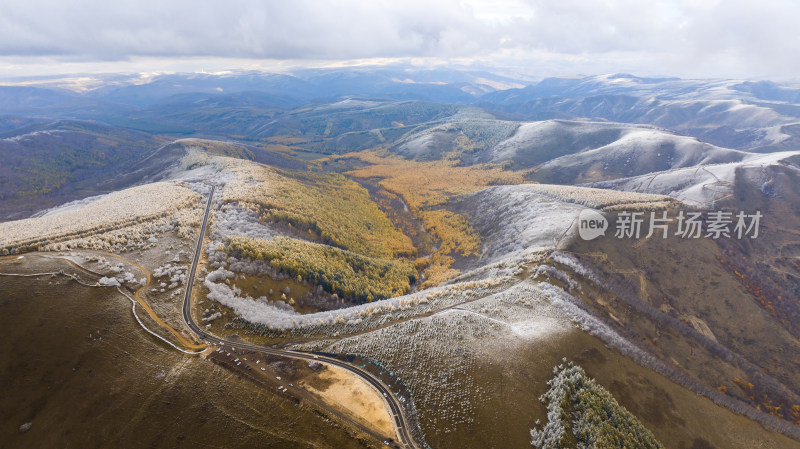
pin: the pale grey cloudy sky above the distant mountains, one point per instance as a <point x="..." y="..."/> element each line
<point x="688" y="38"/>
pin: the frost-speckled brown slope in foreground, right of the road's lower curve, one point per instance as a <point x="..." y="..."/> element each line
<point x="436" y="356"/>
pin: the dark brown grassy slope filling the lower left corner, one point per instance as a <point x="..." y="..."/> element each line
<point x="78" y="388"/>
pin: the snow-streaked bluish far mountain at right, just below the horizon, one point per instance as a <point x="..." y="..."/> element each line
<point x="744" y="115"/>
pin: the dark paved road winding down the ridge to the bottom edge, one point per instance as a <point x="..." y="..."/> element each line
<point x="394" y="404"/>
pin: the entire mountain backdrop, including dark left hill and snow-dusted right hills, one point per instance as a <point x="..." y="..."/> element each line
<point x="58" y="140"/>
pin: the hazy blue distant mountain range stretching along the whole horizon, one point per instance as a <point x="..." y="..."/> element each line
<point x="757" y="116"/>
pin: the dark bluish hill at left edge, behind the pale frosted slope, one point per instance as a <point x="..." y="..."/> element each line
<point x="48" y="163"/>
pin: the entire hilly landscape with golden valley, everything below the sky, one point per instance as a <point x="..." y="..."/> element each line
<point x="397" y="266"/>
